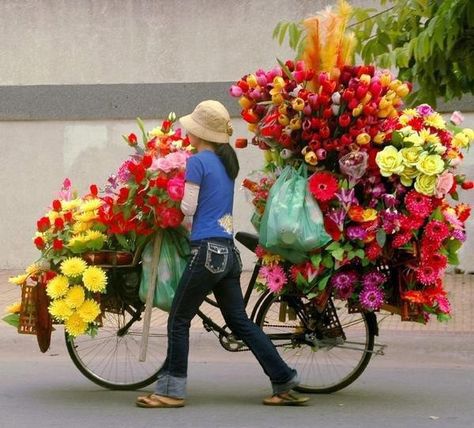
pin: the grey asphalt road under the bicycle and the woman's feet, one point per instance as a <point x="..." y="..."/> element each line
<point x="424" y="380"/>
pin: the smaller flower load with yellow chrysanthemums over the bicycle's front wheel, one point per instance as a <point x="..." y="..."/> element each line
<point x="142" y="198"/>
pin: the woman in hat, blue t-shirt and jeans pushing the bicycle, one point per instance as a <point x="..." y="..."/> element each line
<point x="215" y="263"/>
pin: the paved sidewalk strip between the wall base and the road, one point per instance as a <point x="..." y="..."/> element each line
<point x="459" y="286"/>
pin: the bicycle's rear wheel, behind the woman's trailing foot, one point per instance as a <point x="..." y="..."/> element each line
<point x="326" y="365"/>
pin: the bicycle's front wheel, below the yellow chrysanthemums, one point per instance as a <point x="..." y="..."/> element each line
<point x="111" y="358"/>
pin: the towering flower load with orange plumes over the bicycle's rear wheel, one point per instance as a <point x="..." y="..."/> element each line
<point x="382" y="175"/>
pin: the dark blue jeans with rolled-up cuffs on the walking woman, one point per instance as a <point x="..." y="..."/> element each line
<point x="215" y="265"/>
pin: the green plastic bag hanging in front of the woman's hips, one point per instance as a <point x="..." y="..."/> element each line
<point x="174" y="255"/>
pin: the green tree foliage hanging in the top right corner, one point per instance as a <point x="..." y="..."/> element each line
<point x="430" y="42"/>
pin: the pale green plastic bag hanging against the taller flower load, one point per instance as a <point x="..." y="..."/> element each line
<point x="292" y="224"/>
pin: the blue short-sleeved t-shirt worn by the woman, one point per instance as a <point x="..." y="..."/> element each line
<point x="213" y="216"/>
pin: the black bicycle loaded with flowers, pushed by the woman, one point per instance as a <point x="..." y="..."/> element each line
<point x="329" y="346"/>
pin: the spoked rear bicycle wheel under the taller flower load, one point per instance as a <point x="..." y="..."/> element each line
<point x="316" y="366"/>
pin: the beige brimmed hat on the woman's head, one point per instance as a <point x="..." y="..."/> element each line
<point x="210" y="121"/>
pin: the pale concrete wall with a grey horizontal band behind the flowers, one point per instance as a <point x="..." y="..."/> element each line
<point x="75" y="74"/>
